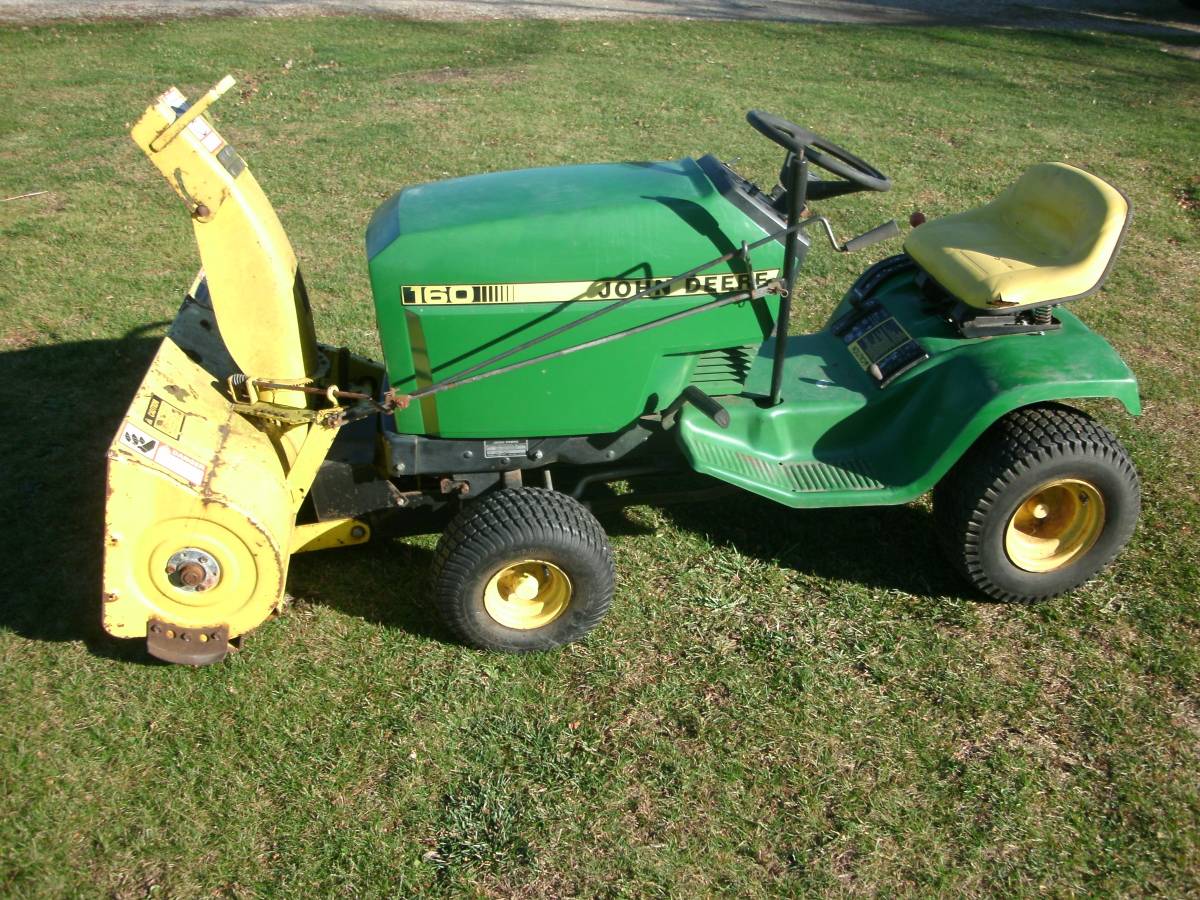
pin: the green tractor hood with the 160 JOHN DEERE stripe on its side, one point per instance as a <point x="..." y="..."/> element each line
<point x="465" y="269"/>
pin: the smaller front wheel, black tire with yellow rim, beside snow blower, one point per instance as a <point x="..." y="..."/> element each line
<point x="524" y="569"/>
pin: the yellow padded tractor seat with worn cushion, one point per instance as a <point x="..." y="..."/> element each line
<point x="1051" y="237"/>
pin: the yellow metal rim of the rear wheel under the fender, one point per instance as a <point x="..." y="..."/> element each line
<point x="1057" y="525"/>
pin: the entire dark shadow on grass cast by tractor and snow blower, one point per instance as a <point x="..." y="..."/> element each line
<point x="63" y="404"/>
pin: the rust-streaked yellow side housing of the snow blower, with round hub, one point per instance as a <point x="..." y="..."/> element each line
<point x="187" y="473"/>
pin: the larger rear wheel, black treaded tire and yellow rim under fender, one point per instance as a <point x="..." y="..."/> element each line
<point x="1039" y="506"/>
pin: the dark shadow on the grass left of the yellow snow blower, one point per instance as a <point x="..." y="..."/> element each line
<point x="62" y="407"/>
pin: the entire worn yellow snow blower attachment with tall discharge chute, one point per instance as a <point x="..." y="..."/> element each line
<point x="214" y="459"/>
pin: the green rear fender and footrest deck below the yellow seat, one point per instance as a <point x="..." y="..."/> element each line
<point x="838" y="440"/>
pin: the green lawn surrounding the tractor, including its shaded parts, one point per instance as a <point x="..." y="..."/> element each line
<point x="781" y="703"/>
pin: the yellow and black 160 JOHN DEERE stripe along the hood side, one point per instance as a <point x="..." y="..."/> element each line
<point x="557" y="292"/>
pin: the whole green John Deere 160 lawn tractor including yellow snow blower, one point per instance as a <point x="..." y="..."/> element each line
<point x="550" y="333"/>
